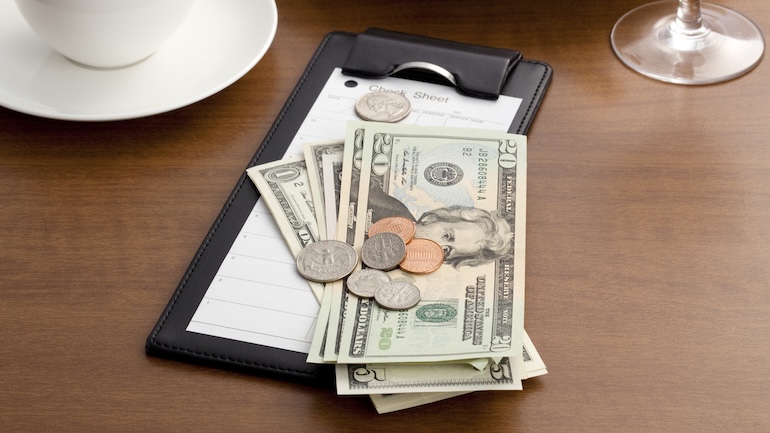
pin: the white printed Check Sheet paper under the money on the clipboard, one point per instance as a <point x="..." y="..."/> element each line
<point x="257" y="296"/>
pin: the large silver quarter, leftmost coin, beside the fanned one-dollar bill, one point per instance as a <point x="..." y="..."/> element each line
<point x="326" y="261"/>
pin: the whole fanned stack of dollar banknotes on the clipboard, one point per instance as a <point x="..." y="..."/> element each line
<point x="464" y="189"/>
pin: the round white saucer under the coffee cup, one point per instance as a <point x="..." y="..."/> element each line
<point x="220" y="41"/>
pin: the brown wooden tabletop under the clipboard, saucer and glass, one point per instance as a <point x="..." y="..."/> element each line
<point x="648" y="250"/>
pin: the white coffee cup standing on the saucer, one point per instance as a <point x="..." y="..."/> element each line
<point x="105" y="33"/>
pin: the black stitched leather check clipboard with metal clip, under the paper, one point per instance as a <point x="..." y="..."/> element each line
<point x="477" y="71"/>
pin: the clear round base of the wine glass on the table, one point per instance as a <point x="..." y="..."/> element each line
<point x="729" y="46"/>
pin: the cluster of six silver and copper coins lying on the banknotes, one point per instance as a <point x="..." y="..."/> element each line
<point x="390" y="244"/>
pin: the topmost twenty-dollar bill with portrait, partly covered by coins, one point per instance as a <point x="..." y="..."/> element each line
<point x="466" y="190"/>
